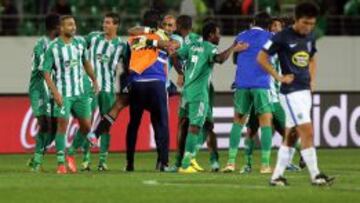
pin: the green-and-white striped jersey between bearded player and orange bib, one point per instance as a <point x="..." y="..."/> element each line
<point x="105" y="55"/>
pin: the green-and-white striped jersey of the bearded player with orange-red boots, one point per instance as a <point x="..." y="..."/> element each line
<point x="65" y="62"/>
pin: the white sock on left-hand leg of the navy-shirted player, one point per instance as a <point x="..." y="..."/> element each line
<point x="282" y="161"/>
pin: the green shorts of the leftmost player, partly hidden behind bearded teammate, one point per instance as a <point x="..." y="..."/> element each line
<point x="40" y="102"/>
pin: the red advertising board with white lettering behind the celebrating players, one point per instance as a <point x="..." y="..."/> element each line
<point x="18" y="127"/>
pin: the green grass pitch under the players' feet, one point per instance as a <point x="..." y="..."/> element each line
<point x="17" y="184"/>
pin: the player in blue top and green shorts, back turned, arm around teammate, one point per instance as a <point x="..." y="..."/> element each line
<point x="252" y="91"/>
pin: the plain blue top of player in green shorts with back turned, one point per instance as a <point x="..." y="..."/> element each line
<point x="249" y="73"/>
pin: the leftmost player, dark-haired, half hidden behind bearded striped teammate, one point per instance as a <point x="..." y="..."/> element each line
<point x="39" y="93"/>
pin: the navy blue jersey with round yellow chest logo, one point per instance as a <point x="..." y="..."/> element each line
<point x="295" y="52"/>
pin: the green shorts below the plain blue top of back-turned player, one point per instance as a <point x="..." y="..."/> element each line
<point x="245" y="99"/>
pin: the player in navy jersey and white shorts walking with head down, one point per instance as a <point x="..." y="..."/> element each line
<point x="296" y="49"/>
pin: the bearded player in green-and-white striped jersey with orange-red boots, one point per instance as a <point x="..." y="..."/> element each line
<point x="64" y="63"/>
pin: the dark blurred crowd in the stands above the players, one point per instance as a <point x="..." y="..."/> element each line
<point x="25" y="17"/>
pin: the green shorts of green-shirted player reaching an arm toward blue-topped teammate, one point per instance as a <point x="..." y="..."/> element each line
<point x="197" y="112"/>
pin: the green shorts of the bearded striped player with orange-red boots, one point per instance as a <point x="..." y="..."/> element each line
<point x="79" y="106"/>
